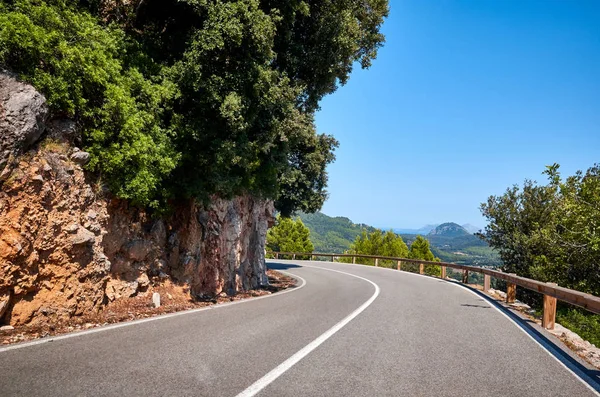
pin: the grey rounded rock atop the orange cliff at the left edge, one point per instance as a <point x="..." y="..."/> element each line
<point x="23" y="113"/>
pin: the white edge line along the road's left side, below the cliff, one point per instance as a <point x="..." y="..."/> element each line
<point x="155" y="318"/>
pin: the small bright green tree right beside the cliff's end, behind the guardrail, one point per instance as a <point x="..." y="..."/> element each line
<point x="289" y="235"/>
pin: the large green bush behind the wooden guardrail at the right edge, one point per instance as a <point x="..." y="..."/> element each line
<point x="551" y="233"/>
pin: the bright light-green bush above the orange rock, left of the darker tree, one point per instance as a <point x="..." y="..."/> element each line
<point x="79" y="65"/>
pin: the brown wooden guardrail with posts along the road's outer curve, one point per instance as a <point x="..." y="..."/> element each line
<point x="550" y="291"/>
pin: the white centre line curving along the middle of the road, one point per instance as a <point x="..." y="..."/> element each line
<point x="263" y="382"/>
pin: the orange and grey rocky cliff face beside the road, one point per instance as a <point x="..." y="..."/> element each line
<point x="68" y="248"/>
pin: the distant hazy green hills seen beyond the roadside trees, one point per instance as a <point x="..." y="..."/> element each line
<point x="449" y="241"/>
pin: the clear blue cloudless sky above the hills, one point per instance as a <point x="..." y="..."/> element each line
<point x="465" y="99"/>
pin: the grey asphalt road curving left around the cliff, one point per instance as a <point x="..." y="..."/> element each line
<point x="382" y="333"/>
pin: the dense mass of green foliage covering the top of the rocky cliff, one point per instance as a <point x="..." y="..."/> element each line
<point x="191" y="98"/>
